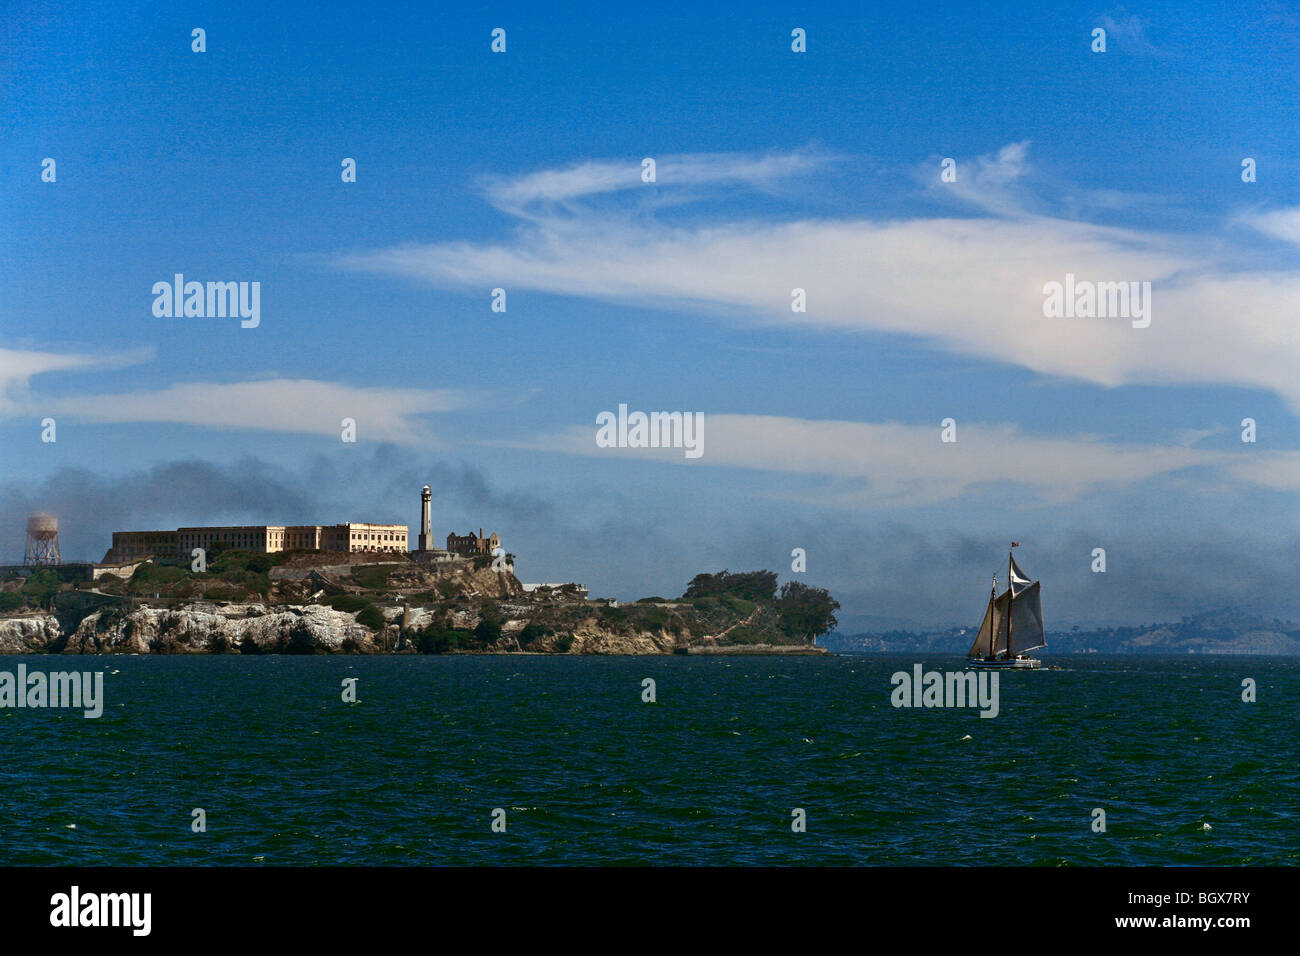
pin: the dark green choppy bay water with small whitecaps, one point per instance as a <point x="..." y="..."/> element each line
<point x="587" y="773"/>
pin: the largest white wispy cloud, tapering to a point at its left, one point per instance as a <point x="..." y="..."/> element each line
<point x="972" y="287"/>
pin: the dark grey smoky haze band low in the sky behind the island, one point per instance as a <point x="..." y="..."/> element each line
<point x="885" y="573"/>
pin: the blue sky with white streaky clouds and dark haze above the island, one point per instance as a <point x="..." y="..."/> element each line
<point x="775" y="171"/>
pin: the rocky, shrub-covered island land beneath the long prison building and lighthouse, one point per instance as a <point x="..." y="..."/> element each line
<point x="366" y="603"/>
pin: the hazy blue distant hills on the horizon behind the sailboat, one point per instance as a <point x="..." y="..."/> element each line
<point x="1227" y="631"/>
